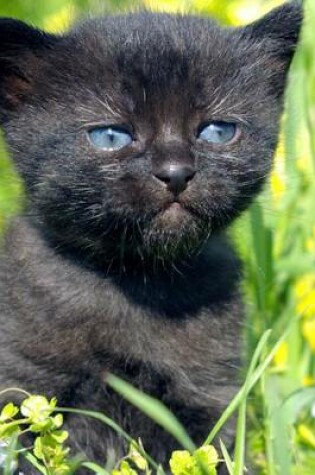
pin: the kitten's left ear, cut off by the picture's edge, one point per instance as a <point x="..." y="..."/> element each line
<point x="22" y="51"/>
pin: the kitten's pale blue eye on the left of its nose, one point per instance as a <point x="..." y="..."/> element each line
<point x="110" y="138"/>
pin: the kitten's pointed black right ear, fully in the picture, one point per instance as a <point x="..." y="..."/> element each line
<point x="279" y="31"/>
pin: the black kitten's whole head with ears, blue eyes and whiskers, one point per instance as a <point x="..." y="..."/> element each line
<point x="144" y="132"/>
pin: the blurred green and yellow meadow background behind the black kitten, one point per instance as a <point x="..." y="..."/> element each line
<point x="276" y="237"/>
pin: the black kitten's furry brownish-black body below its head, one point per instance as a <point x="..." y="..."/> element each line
<point x="154" y="332"/>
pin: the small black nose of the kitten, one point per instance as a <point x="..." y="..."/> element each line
<point x="176" y="177"/>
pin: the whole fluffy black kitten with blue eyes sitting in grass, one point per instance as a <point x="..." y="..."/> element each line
<point x="139" y="138"/>
